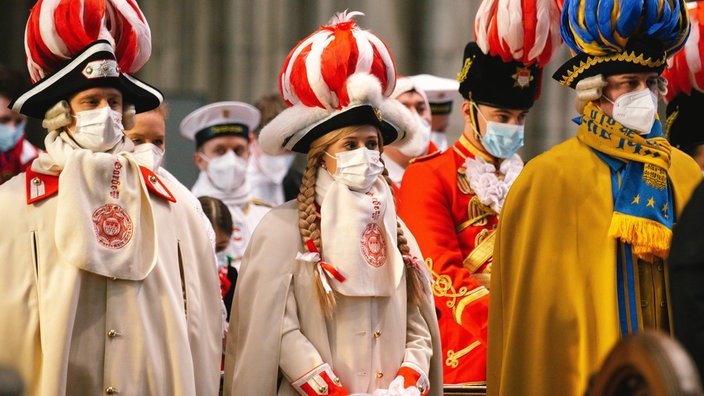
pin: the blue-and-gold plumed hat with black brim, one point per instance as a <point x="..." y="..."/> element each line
<point x="620" y="36"/>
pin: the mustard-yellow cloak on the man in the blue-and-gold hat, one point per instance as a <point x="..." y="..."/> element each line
<point x="553" y="311"/>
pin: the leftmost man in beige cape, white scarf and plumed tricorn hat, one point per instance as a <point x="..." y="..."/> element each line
<point x="109" y="283"/>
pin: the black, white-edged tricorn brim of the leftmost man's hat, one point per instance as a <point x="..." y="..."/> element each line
<point x="69" y="80"/>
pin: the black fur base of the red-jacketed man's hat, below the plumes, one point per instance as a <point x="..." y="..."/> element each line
<point x="488" y="80"/>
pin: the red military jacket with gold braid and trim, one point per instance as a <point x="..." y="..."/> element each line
<point x="449" y="222"/>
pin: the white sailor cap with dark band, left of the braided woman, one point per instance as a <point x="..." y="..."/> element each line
<point x="217" y="119"/>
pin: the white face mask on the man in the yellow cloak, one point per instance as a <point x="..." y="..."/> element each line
<point x="636" y="110"/>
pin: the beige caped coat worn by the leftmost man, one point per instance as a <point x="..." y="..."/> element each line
<point x="71" y="332"/>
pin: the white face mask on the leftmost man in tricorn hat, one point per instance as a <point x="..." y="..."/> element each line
<point x="98" y="130"/>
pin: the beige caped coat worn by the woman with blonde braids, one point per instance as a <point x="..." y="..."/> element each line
<point x="272" y="285"/>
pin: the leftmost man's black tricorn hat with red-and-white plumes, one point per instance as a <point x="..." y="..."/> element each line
<point x="73" y="45"/>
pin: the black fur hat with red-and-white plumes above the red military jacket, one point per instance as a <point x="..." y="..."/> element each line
<point x="503" y="67"/>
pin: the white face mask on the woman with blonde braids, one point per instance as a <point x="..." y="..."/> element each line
<point x="357" y="169"/>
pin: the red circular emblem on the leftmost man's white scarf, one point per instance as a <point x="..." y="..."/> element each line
<point x="113" y="226"/>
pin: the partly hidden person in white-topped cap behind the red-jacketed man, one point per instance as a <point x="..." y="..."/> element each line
<point x="440" y="92"/>
